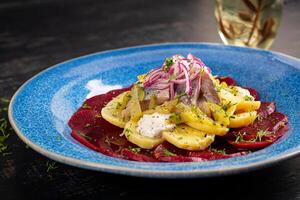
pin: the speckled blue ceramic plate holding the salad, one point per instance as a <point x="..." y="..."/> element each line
<point x="40" y="109"/>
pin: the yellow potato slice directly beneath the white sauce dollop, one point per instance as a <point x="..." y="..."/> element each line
<point x="133" y="136"/>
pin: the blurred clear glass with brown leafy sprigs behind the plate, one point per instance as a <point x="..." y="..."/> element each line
<point x="252" y="23"/>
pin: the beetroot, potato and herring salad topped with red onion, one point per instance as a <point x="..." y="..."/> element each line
<point x="179" y="112"/>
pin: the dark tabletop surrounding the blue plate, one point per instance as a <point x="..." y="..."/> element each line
<point x="36" y="34"/>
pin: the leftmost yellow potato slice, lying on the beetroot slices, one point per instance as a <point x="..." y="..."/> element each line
<point x="112" y="112"/>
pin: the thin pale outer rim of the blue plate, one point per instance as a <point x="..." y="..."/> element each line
<point x="146" y="172"/>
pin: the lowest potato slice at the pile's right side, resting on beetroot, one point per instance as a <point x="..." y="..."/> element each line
<point x="242" y="119"/>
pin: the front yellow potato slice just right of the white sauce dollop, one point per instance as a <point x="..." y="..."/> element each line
<point x="185" y="137"/>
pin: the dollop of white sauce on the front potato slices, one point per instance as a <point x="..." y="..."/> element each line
<point x="152" y="125"/>
